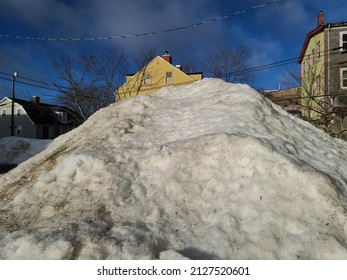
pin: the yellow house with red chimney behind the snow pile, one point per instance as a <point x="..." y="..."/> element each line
<point x="158" y="73"/>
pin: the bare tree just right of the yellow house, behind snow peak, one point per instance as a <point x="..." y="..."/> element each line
<point x="229" y="64"/>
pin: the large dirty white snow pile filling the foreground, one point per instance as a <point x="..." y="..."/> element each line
<point x="209" y="170"/>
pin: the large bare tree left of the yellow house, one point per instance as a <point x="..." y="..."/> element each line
<point x="87" y="83"/>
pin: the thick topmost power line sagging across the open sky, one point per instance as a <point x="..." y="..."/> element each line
<point x="260" y="6"/>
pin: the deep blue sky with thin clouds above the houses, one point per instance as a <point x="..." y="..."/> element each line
<point x="273" y="33"/>
